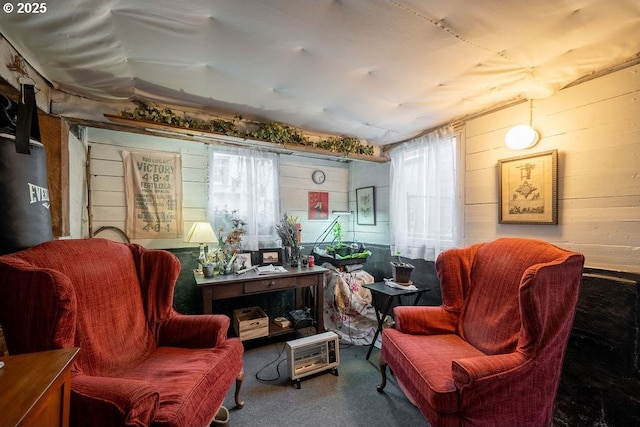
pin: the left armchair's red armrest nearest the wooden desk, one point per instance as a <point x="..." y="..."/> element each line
<point x="193" y="331"/>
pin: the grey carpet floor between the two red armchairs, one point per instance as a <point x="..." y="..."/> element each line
<point x="348" y="399"/>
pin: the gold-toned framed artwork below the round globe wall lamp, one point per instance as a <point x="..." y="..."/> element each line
<point x="529" y="189"/>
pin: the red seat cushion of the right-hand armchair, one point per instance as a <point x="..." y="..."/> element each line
<point x="422" y="363"/>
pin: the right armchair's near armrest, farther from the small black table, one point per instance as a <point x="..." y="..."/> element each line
<point x="467" y="371"/>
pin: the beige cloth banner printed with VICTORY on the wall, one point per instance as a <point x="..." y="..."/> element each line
<point x="153" y="187"/>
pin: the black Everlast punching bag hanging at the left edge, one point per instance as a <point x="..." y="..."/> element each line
<point x="25" y="218"/>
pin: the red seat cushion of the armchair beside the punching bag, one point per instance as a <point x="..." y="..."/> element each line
<point x="190" y="381"/>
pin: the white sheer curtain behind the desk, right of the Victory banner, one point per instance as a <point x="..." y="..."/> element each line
<point x="245" y="181"/>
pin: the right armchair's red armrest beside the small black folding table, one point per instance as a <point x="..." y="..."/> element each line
<point x="425" y="320"/>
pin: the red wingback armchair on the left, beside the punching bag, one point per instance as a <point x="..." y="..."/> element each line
<point x="141" y="363"/>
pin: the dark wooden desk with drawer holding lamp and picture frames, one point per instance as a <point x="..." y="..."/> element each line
<point x="252" y="283"/>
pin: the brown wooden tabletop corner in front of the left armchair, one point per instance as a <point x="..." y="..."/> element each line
<point x="35" y="388"/>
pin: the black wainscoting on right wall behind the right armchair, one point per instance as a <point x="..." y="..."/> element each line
<point x="600" y="383"/>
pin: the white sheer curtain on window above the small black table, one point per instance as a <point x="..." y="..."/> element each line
<point x="424" y="205"/>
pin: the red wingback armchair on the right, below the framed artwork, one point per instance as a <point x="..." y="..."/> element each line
<point x="492" y="353"/>
